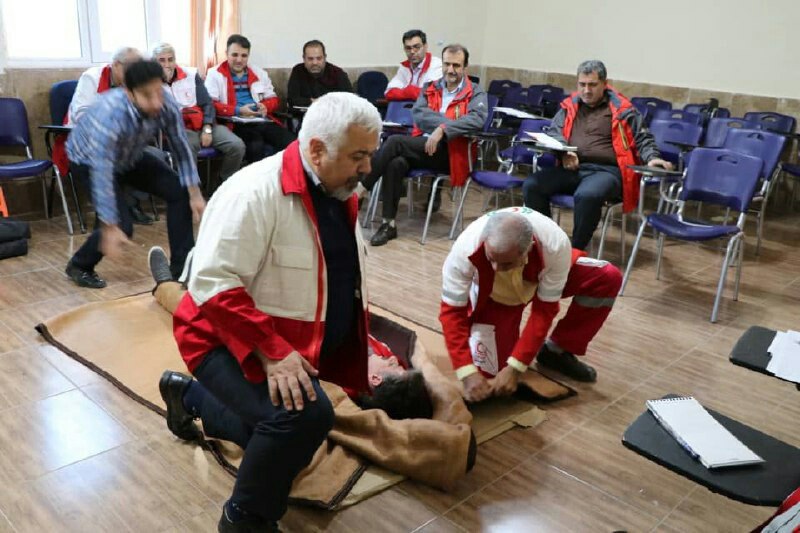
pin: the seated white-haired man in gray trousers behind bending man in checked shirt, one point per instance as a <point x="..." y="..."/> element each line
<point x="189" y="90"/>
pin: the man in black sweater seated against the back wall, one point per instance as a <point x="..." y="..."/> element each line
<point x="315" y="77"/>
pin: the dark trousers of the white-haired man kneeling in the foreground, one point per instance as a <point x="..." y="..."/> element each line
<point x="277" y="443"/>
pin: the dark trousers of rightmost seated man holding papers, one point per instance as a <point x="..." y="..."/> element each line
<point x="591" y="185"/>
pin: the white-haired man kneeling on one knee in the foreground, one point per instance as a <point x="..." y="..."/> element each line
<point x="277" y="300"/>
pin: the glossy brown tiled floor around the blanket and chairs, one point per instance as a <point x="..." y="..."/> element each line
<point x="77" y="455"/>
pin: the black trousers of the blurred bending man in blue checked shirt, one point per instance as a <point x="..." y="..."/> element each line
<point x="151" y="174"/>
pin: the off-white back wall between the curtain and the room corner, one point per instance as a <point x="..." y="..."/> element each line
<point x="357" y="33"/>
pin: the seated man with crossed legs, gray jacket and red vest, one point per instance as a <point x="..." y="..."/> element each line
<point x="446" y="111"/>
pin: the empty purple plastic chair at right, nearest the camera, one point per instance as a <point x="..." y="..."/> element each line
<point x="716" y="176"/>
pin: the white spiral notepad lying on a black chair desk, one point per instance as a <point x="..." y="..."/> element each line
<point x="700" y="434"/>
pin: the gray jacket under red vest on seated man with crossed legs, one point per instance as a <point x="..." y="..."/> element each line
<point x="427" y="119"/>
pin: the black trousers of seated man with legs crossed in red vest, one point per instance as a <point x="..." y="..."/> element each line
<point x="398" y="155"/>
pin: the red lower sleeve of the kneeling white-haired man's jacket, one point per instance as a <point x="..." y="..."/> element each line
<point x="242" y="327"/>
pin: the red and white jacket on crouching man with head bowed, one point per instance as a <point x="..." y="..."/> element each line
<point x="468" y="280"/>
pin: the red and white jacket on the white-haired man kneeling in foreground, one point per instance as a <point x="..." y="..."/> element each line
<point x="258" y="277"/>
